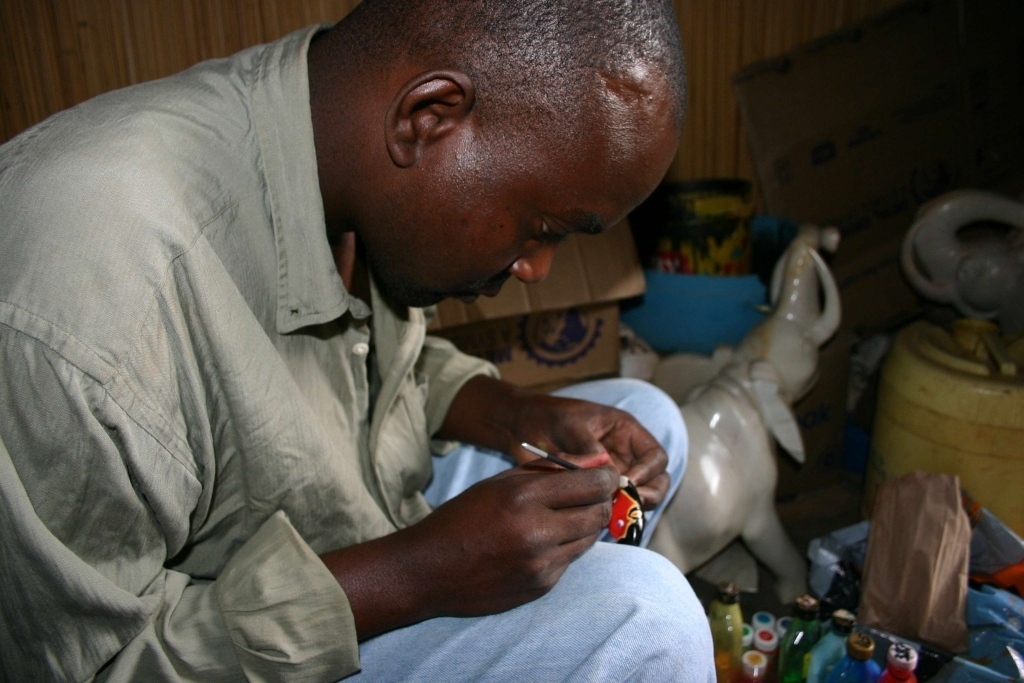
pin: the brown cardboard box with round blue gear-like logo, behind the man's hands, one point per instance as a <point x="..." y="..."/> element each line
<point x="565" y="329"/>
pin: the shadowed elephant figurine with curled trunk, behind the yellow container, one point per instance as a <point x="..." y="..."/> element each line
<point x="978" y="272"/>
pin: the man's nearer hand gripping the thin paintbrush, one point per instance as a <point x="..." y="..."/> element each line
<point x="506" y="540"/>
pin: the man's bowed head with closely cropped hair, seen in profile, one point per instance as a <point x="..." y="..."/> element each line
<point x="461" y="140"/>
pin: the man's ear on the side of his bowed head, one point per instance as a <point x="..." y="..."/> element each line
<point x="430" y="107"/>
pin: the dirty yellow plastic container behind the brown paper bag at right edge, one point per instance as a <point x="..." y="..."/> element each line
<point x="953" y="403"/>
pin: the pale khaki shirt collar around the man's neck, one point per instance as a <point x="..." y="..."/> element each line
<point x="310" y="289"/>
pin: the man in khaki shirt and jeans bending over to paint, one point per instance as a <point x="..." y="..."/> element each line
<point x="220" y="403"/>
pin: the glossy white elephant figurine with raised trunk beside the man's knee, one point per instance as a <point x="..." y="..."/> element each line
<point x="740" y="410"/>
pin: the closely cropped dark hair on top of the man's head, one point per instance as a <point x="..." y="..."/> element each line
<point x="547" y="51"/>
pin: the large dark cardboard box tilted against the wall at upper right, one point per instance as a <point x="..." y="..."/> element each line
<point x="862" y="127"/>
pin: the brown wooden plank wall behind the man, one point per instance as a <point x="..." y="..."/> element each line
<point x="55" y="54"/>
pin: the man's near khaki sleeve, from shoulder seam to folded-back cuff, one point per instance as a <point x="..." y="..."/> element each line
<point x="94" y="515"/>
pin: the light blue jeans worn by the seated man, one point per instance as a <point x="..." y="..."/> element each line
<point x="619" y="614"/>
